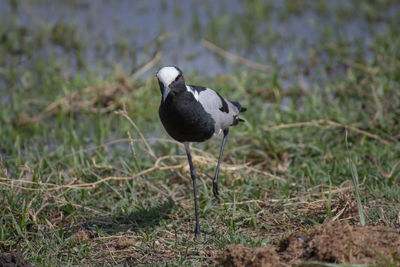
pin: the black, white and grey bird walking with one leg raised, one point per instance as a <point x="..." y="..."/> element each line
<point x="191" y="113"/>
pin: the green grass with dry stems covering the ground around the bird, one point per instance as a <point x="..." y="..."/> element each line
<point x="81" y="184"/>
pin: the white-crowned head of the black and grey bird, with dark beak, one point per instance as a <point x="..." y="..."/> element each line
<point x="170" y="79"/>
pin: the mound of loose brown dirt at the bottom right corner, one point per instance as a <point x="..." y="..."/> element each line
<point x="334" y="242"/>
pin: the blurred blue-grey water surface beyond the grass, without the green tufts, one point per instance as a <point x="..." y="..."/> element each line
<point x="120" y="31"/>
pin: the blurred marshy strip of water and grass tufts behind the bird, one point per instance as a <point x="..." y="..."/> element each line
<point x="304" y="39"/>
